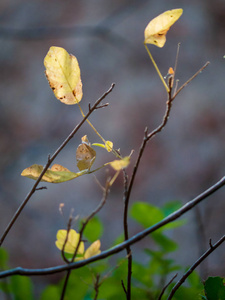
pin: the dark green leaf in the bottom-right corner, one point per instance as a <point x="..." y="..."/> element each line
<point x="214" y="288"/>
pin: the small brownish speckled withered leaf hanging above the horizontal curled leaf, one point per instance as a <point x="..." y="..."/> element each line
<point x="85" y="155"/>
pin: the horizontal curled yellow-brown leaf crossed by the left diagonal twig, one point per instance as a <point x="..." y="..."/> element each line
<point x="56" y="174"/>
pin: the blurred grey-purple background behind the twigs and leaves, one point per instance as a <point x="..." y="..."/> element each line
<point x="107" y="39"/>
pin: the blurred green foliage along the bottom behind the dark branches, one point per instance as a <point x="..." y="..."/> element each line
<point x="148" y="278"/>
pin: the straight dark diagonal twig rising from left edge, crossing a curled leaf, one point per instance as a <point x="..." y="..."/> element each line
<point x="50" y="160"/>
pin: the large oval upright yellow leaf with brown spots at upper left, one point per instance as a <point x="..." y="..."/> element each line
<point x="63" y="74"/>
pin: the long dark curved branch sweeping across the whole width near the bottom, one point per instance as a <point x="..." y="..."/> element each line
<point x="118" y="248"/>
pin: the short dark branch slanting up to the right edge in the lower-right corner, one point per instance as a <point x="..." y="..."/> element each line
<point x="195" y="265"/>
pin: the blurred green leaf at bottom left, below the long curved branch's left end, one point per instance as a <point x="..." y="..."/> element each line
<point x="21" y="288"/>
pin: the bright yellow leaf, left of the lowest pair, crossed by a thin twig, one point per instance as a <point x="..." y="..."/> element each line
<point x="72" y="241"/>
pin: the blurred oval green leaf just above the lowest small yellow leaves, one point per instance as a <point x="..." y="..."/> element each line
<point x="94" y="229"/>
